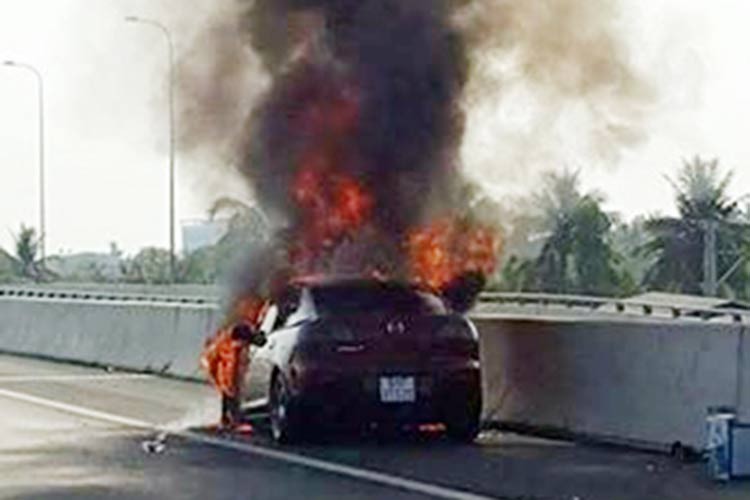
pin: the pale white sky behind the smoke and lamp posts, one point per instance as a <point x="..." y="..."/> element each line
<point x="107" y="129"/>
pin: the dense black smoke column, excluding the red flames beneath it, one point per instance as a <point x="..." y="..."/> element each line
<point x="405" y="64"/>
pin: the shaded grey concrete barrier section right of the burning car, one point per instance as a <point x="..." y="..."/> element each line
<point x="638" y="382"/>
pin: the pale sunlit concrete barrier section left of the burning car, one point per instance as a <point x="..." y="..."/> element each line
<point x="161" y="336"/>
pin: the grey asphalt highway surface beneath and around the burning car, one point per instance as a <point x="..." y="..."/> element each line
<point x="73" y="432"/>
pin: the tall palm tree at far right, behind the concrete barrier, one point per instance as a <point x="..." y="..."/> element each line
<point x="677" y="244"/>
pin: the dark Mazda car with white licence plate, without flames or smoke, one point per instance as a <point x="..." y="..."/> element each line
<point x="357" y="352"/>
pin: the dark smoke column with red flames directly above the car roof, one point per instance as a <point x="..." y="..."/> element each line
<point x="365" y="97"/>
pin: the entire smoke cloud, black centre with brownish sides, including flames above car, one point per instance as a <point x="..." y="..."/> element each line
<point x="347" y="117"/>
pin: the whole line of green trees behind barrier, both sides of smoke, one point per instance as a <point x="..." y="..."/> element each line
<point x="559" y="239"/>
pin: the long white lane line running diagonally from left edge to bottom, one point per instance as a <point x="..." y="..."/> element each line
<point x="283" y="456"/>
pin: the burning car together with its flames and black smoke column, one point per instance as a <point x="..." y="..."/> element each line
<point x="352" y="155"/>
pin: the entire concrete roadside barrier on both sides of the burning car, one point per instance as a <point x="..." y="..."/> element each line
<point x="638" y="380"/>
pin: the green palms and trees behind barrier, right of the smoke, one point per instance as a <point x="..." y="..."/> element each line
<point x="567" y="243"/>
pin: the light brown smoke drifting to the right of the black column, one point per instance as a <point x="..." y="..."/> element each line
<point x="553" y="82"/>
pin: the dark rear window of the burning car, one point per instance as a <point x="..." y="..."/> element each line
<point x="365" y="298"/>
